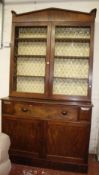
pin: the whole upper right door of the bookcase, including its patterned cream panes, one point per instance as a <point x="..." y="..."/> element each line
<point x="71" y="60"/>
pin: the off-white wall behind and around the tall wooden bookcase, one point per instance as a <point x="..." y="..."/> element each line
<point x="84" y="5"/>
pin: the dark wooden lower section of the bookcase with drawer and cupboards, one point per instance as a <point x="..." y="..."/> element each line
<point x="48" y="134"/>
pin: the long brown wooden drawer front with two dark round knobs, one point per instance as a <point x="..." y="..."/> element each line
<point x="47" y="111"/>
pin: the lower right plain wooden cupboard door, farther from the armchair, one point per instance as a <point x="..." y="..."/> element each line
<point x="67" y="142"/>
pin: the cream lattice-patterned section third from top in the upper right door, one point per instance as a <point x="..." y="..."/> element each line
<point x="77" y="68"/>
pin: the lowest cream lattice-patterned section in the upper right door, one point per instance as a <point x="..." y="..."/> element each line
<point x="70" y="86"/>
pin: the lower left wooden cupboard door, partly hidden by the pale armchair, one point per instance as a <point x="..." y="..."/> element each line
<point x="24" y="134"/>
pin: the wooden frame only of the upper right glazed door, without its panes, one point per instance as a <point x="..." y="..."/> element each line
<point x="90" y="62"/>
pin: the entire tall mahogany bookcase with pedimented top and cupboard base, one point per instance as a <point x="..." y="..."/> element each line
<point x="48" y="111"/>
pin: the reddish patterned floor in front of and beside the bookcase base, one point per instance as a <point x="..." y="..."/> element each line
<point x="28" y="170"/>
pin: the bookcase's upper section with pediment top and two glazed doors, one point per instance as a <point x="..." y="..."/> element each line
<point x="52" y="54"/>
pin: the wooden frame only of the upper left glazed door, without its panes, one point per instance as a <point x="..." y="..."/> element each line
<point x="47" y="57"/>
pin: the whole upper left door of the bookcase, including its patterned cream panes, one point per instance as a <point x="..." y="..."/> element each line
<point x="30" y="59"/>
